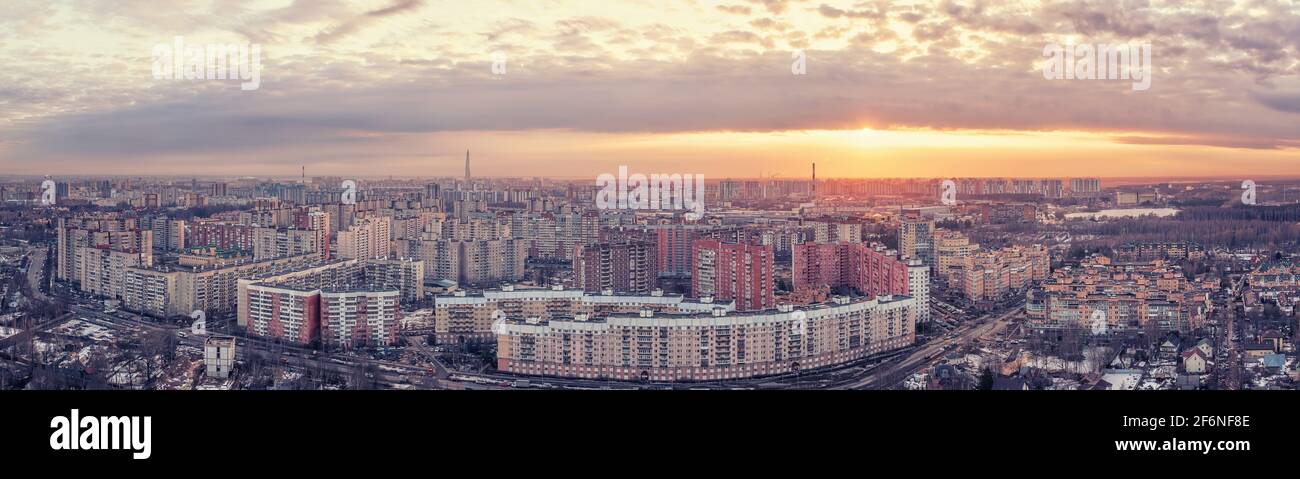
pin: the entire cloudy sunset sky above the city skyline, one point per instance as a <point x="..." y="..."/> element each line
<point x="577" y="89"/>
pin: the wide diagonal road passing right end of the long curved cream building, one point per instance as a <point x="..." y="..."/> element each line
<point x="894" y="373"/>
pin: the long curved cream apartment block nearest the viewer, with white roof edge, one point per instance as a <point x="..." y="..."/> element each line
<point x="713" y="346"/>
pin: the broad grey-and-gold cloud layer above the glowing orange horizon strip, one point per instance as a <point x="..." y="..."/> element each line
<point x="340" y="74"/>
